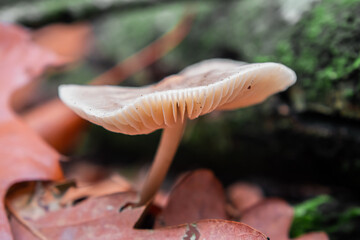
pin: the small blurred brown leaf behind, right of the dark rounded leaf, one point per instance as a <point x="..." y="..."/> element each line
<point x="244" y="195"/>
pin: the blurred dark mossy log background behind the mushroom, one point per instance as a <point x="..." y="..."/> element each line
<point x="300" y="145"/>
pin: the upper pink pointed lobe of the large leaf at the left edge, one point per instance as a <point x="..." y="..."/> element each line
<point x="18" y="66"/>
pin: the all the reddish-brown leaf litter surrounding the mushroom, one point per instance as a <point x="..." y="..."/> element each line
<point x="80" y="210"/>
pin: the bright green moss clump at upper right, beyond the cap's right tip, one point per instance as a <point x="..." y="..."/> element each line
<point x="323" y="49"/>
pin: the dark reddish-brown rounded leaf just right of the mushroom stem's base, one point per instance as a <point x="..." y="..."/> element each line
<point x="199" y="195"/>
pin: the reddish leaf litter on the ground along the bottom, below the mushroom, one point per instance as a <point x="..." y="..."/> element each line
<point x="98" y="217"/>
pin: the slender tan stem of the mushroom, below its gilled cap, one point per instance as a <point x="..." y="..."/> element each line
<point x="165" y="153"/>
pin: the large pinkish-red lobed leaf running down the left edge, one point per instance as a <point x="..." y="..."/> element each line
<point x="24" y="156"/>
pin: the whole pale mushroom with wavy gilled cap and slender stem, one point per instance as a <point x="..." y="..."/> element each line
<point x="216" y="84"/>
